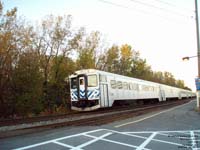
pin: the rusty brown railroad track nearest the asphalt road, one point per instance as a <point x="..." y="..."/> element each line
<point x="94" y="119"/>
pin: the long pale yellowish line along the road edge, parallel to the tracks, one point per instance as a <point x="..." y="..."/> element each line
<point x="139" y="120"/>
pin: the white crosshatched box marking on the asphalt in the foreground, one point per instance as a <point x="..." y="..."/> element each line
<point x="136" y="140"/>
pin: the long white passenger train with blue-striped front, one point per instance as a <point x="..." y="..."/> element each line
<point x="91" y="89"/>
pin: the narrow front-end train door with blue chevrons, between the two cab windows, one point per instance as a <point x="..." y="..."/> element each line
<point x="82" y="87"/>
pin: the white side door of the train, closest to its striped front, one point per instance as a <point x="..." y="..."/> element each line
<point x="104" y="95"/>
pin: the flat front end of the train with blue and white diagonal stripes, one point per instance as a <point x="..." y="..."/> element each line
<point x="84" y="90"/>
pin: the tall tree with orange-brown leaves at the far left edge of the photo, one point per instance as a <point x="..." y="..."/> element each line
<point x="14" y="39"/>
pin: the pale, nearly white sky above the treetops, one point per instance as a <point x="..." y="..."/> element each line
<point x="162" y="30"/>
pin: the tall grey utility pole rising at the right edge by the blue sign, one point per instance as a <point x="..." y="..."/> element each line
<point x="198" y="49"/>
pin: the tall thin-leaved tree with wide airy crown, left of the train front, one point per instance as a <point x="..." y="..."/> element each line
<point x="55" y="39"/>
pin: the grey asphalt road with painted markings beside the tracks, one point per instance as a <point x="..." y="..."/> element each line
<point x="177" y="128"/>
